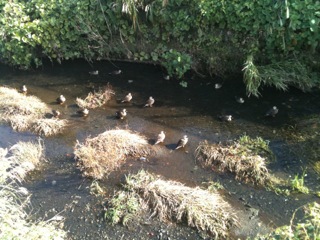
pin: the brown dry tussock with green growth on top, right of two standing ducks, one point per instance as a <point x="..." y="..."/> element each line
<point x="246" y="158"/>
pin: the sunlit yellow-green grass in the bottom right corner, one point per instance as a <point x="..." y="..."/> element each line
<point x="308" y="228"/>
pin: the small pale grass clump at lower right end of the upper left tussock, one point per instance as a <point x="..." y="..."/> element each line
<point x="49" y="126"/>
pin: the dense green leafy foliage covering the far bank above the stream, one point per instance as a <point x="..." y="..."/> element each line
<point x="207" y="35"/>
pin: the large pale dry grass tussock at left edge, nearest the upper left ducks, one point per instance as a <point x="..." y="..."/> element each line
<point x="27" y="113"/>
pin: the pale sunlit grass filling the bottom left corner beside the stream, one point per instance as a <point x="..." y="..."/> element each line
<point x="14" y="221"/>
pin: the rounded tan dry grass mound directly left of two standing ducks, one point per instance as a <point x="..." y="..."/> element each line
<point x="99" y="156"/>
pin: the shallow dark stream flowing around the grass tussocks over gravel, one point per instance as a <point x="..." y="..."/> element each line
<point x="58" y="186"/>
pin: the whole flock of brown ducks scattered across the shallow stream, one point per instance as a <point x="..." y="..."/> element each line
<point x="121" y="114"/>
